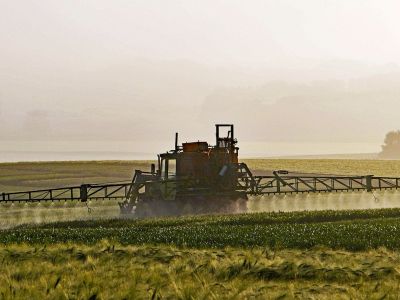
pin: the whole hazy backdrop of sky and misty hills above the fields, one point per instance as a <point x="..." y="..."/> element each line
<point x="283" y="71"/>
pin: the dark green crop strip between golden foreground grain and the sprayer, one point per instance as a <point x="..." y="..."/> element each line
<point x="351" y="230"/>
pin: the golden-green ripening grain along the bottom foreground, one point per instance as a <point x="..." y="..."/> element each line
<point x="112" y="271"/>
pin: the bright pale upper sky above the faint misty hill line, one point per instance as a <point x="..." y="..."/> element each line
<point x="100" y="32"/>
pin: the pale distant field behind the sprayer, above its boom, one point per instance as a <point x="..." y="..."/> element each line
<point x="31" y="175"/>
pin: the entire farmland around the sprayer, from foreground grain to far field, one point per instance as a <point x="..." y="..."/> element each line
<point x="314" y="247"/>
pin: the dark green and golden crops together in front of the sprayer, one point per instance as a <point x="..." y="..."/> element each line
<point x="340" y="254"/>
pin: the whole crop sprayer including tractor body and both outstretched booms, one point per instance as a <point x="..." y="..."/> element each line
<point x="197" y="177"/>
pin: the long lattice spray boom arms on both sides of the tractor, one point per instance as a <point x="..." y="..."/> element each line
<point x="247" y="183"/>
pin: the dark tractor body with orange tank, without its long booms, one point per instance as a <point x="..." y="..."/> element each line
<point x="193" y="178"/>
